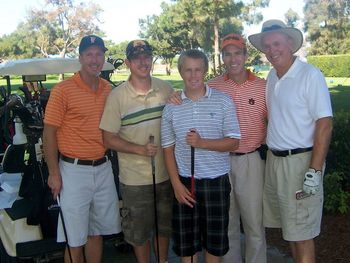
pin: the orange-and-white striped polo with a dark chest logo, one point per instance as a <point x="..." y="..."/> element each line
<point x="249" y="98"/>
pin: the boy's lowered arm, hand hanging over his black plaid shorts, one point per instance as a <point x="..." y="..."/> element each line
<point x="182" y="194"/>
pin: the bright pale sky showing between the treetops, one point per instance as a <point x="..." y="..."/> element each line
<point x="121" y="17"/>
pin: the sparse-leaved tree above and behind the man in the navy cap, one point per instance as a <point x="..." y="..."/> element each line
<point x="60" y="24"/>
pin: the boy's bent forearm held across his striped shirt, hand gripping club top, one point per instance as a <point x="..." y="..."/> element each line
<point x="220" y="145"/>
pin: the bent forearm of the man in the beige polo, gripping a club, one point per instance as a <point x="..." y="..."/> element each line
<point x="115" y="142"/>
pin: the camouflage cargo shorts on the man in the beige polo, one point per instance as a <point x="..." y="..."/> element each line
<point x="138" y="215"/>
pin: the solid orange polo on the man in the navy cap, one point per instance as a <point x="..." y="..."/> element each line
<point x="76" y="110"/>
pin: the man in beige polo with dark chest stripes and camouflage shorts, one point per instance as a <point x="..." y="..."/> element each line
<point x="131" y="126"/>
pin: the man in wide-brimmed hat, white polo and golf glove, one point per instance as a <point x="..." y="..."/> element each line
<point x="298" y="136"/>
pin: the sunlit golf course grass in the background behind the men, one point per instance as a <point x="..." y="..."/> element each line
<point x="339" y="87"/>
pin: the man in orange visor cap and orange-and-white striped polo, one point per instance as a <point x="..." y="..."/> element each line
<point x="247" y="167"/>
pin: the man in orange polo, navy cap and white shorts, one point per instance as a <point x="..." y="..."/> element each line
<point x="79" y="171"/>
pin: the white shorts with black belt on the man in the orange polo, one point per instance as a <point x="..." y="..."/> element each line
<point x="89" y="202"/>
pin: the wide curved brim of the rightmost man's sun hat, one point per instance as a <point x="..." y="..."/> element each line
<point x="295" y="34"/>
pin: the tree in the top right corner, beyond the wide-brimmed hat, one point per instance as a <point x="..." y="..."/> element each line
<point x="328" y="26"/>
